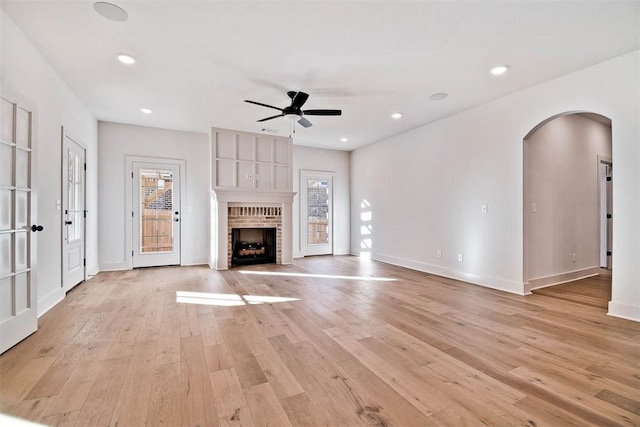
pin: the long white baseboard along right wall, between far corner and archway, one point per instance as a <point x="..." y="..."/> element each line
<point x="486" y="281"/>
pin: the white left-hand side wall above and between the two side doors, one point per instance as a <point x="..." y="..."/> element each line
<point x="25" y="71"/>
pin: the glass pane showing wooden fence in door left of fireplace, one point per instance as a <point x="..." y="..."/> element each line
<point x="156" y="211"/>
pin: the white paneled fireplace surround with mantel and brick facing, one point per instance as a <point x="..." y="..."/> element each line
<point x="251" y="183"/>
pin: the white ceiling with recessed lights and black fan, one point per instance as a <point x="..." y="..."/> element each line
<point x="198" y="60"/>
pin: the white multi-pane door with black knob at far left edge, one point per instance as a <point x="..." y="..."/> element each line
<point x="18" y="310"/>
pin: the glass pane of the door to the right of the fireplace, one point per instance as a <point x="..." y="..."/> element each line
<point x="317" y="211"/>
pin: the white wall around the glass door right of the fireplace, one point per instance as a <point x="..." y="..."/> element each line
<point x="337" y="162"/>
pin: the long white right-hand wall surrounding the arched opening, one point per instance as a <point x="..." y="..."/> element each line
<point x="426" y="186"/>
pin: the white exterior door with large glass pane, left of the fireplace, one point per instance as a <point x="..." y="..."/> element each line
<point x="156" y="215"/>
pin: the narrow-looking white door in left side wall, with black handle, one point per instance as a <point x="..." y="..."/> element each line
<point x="73" y="218"/>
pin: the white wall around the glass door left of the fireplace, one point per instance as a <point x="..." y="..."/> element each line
<point x="118" y="141"/>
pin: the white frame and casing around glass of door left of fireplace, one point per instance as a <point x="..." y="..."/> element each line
<point x="132" y="221"/>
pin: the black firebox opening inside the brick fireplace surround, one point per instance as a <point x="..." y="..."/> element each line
<point x="253" y="246"/>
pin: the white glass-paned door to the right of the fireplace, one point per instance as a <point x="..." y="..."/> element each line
<point x="316" y="218"/>
